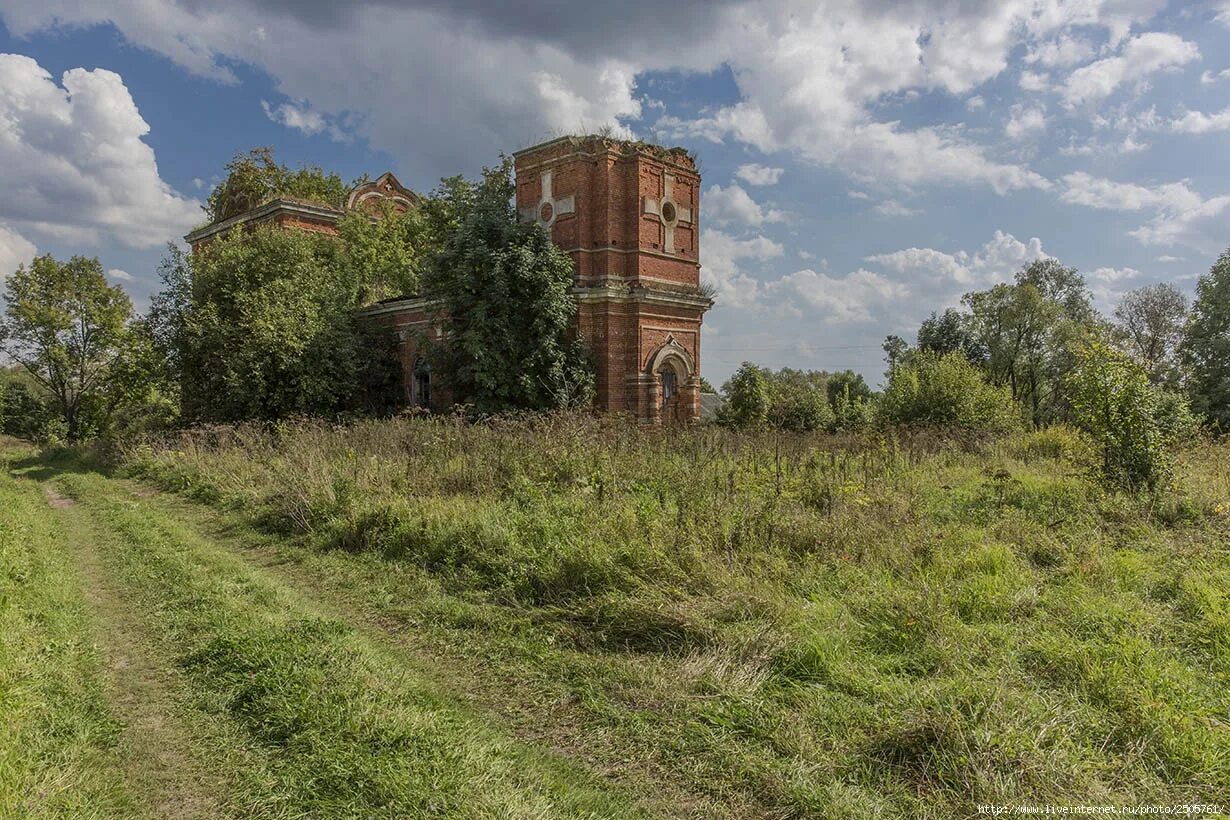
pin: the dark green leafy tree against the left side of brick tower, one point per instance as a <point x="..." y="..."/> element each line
<point x="506" y="290"/>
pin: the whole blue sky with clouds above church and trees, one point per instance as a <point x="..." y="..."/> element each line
<point x="865" y="163"/>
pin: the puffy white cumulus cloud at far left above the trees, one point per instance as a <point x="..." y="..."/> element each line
<point x="73" y="164"/>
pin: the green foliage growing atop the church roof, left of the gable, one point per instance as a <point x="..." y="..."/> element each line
<point x="255" y="178"/>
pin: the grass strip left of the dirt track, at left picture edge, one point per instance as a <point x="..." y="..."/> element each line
<point x="58" y="738"/>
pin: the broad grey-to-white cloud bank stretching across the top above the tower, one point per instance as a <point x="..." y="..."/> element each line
<point x="810" y="76"/>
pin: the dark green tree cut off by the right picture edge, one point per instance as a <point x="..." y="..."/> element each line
<point x="1205" y="351"/>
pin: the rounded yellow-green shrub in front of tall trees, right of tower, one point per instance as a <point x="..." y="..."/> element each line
<point x="948" y="392"/>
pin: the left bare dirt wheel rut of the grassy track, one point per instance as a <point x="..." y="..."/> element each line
<point x="157" y="746"/>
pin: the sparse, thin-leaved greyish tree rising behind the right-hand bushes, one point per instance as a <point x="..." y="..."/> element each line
<point x="1149" y="325"/>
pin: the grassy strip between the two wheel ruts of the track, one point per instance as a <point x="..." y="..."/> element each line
<point x="313" y="720"/>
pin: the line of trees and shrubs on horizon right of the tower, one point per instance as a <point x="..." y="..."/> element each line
<point x="1034" y="353"/>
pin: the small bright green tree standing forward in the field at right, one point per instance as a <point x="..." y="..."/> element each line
<point x="1132" y="421"/>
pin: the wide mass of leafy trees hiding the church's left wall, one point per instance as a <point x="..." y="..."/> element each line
<point x="263" y="325"/>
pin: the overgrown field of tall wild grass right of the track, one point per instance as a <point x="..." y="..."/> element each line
<point x="762" y="625"/>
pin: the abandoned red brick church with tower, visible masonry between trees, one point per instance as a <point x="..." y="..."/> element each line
<point x="628" y="215"/>
